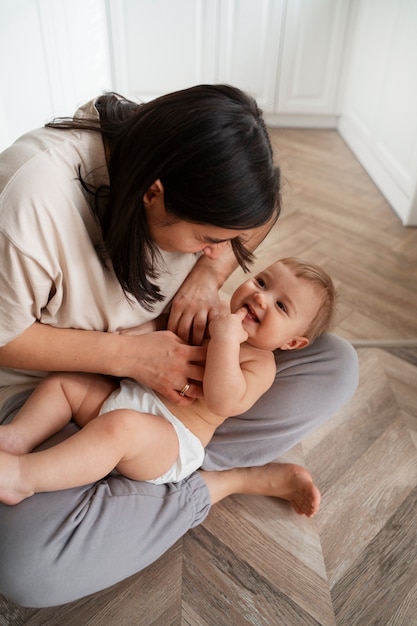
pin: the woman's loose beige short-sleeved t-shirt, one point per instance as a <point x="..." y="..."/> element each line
<point x="49" y="268"/>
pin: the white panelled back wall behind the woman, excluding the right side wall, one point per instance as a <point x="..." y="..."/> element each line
<point x="287" y="53"/>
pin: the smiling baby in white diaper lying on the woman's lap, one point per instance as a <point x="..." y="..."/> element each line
<point x="128" y="427"/>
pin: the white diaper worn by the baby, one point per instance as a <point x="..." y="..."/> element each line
<point x="132" y="395"/>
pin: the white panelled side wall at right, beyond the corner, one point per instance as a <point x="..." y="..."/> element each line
<point x="379" y="107"/>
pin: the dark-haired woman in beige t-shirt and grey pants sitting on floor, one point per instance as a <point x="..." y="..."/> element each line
<point x="104" y="221"/>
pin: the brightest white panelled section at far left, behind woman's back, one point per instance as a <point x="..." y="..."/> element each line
<point x="54" y="56"/>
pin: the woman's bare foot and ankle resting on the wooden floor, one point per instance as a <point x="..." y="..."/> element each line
<point x="281" y="480"/>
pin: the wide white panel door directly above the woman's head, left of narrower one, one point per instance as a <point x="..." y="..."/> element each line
<point x="161" y="46"/>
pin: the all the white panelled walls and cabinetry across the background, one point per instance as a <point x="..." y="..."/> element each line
<point x="350" y="64"/>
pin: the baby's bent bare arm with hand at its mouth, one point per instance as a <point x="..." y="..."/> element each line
<point x="235" y="376"/>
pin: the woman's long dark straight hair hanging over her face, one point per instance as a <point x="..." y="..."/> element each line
<point x="209" y="147"/>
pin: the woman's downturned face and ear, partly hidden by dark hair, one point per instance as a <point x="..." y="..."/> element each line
<point x="174" y="235"/>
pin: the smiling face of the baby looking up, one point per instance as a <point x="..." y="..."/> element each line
<point x="280" y="307"/>
